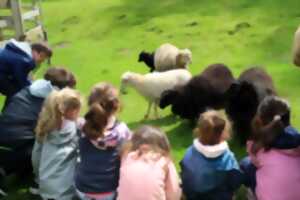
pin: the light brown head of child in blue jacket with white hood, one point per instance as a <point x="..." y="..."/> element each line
<point x="212" y="128"/>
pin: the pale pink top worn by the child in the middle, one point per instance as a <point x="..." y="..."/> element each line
<point x="148" y="177"/>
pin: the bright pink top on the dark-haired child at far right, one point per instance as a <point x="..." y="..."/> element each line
<point x="278" y="174"/>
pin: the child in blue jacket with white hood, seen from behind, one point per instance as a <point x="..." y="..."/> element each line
<point x="209" y="168"/>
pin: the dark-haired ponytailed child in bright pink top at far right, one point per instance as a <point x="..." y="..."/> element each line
<point x="271" y="123"/>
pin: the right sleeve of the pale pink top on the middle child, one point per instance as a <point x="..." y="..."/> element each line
<point x="173" y="190"/>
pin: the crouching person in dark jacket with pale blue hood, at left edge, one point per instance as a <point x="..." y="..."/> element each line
<point x="19" y="118"/>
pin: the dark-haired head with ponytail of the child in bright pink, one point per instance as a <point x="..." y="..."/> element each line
<point x="273" y="115"/>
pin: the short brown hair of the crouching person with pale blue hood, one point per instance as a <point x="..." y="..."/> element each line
<point x="60" y="77"/>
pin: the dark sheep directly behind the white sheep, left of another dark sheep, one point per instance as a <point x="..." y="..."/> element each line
<point x="206" y="90"/>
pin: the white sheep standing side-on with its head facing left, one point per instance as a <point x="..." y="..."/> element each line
<point x="152" y="85"/>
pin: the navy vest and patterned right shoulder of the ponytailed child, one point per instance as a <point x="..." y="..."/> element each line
<point x="98" y="168"/>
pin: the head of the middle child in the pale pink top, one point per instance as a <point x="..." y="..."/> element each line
<point x="149" y="138"/>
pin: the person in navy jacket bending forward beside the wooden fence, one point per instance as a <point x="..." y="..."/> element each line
<point x="17" y="59"/>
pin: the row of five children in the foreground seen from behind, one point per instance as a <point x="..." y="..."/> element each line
<point x="99" y="158"/>
